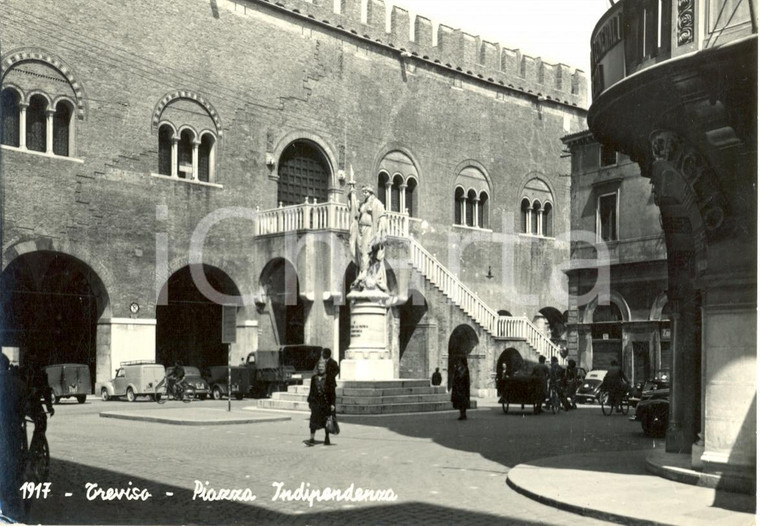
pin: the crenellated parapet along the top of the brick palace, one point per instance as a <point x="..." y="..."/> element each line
<point x="456" y="50"/>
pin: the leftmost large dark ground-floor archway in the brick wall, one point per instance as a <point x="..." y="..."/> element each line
<point x="49" y="307"/>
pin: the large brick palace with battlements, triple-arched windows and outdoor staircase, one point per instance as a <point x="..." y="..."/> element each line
<point x="162" y="159"/>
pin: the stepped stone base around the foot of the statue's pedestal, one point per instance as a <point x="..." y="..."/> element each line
<point x="370" y="398"/>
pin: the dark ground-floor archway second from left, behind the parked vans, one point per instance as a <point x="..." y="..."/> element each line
<point x="189" y="326"/>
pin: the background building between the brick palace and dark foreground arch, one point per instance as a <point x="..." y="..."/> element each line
<point x="618" y="304"/>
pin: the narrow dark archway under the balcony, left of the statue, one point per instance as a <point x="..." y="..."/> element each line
<point x="279" y="281"/>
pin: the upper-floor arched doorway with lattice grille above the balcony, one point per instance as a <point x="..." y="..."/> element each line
<point x="304" y="173"/>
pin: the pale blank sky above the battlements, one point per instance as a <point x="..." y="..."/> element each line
<point x="555" y="30"/>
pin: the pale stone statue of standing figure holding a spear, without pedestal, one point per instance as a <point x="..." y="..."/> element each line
<point x="368" y="233"/>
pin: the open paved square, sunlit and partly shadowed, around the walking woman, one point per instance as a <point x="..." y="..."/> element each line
<point x="442" y="470"/>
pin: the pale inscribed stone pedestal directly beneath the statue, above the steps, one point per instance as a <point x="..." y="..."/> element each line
<point x="367" y="356"/>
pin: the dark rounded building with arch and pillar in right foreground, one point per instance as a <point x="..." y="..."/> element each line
<point x="681" y="77"/>
